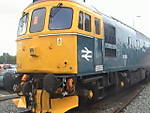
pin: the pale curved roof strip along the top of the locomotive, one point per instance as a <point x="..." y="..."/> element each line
<point x="94" y="9"/>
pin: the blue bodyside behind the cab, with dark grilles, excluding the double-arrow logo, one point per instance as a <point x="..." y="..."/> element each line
<point x="130" y="50"/>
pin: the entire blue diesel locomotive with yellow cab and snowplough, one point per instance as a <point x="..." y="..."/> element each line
<point x="69" y="52"/>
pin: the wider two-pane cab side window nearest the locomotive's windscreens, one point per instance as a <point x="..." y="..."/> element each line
<point x="84" y="22"/>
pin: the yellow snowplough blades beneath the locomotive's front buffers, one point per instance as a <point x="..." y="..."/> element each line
<point x="45" y="104"/>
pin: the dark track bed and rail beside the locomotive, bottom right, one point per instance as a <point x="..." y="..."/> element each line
<point x="114" y="103"/>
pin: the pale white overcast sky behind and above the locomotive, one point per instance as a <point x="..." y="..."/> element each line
<point x="132" y="12"/>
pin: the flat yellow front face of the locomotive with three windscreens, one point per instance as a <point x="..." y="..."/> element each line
<point x="45" y="42"/>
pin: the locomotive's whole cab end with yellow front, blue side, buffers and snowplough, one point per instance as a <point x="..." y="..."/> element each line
<point x="58" y="41"/>
